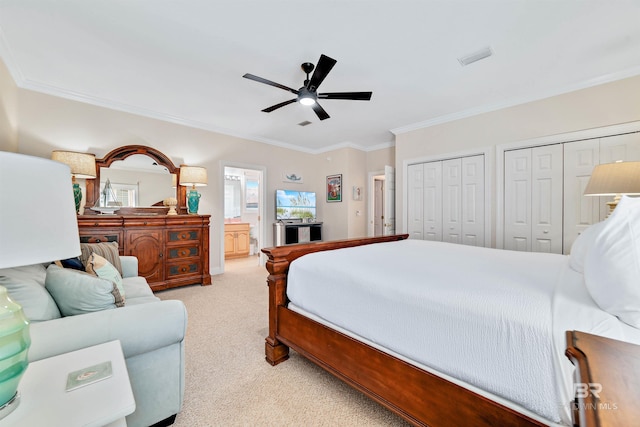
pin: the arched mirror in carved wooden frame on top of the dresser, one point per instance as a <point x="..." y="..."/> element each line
<point x="141" y="177"/>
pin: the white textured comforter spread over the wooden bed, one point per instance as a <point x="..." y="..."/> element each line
<point x="492" y="319"/>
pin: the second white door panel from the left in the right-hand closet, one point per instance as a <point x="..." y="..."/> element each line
<point x="546" y="198"/>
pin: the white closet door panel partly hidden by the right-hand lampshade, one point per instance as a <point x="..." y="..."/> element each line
<point x="580" y="157"/>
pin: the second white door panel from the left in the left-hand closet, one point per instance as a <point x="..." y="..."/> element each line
<point x="432" y="208"/>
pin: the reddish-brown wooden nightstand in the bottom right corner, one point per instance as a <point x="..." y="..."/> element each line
<point x="607" y="380"/>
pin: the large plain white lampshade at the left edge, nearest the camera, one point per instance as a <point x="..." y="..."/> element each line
<point x="38" y="221"/>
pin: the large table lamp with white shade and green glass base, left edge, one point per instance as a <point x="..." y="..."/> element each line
<point x="36" y="226"/>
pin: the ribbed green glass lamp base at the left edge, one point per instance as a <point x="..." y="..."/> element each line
<point x="14" y="346"/>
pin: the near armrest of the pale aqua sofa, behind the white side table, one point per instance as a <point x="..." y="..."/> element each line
<point x="140" y="328"/>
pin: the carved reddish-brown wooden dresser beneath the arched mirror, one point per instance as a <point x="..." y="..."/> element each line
<point x="171" y="250"/>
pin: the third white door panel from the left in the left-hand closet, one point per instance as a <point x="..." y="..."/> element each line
<point x="452" y="200"/>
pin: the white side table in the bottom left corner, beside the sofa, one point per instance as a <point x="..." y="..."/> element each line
<point x="45" y="402"/>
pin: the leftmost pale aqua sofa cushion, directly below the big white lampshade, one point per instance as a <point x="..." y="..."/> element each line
<point x="25" y="286"/>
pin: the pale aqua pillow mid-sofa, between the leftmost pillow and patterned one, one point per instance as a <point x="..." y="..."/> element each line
<point x="76" y="292"/>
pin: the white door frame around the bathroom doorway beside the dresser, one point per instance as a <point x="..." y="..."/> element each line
<point x="262" y="233"/>
